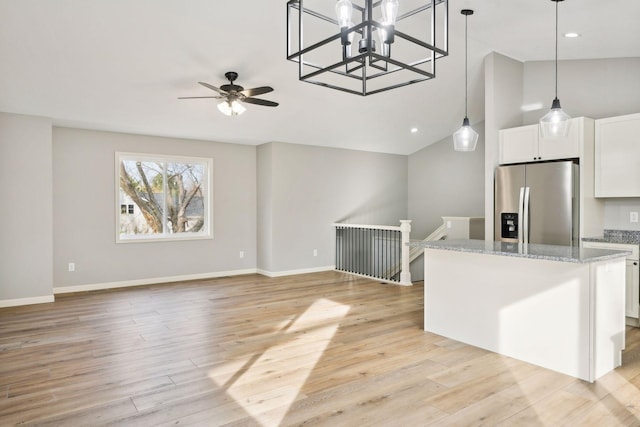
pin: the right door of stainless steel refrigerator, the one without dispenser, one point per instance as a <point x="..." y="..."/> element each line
<point x="552" y="217"/>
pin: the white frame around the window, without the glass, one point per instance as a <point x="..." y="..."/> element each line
<point x="207" y="230"/>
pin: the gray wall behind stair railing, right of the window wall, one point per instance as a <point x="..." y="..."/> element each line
<point x="308" y="188"/>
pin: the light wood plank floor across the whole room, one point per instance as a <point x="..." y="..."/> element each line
<point x="318" y="349"/>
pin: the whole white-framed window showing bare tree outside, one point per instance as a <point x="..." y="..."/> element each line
<point x="162" y="197"/>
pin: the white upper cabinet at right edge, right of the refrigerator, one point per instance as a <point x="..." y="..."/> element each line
<point x="617" y="156"/>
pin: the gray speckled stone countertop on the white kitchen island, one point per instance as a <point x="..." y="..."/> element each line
<point x="533" y="251"/>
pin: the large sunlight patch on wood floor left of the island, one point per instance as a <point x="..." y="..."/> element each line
<point x="271" y="381"/>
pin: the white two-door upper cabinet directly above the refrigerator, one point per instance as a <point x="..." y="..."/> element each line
<point x="524" y="144"/>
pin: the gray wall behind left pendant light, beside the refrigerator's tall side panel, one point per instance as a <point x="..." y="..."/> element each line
<point x="443" y="182"/>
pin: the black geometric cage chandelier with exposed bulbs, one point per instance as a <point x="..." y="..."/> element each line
<point x="365" y="46"/>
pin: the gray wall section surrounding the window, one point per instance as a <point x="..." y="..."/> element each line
<point x="84" y="215"/>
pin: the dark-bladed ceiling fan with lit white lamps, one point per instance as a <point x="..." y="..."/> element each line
<point x="233" y="95"/>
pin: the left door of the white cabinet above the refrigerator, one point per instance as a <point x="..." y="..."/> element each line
<point x="518" y="145"/>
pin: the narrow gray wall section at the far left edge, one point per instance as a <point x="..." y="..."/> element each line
<point x="26" y="245"/>
